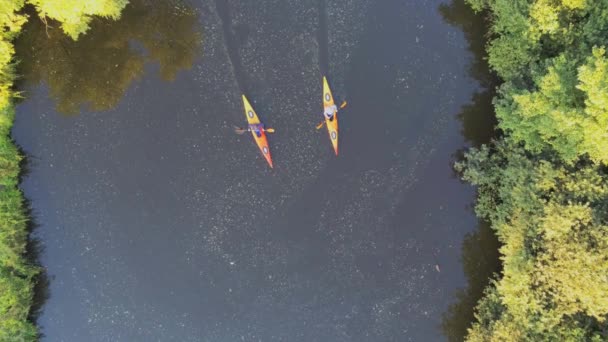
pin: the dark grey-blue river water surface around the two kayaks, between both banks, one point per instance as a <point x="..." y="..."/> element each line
<point x="160" y="224"/>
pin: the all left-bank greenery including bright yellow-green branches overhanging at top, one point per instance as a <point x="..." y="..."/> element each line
<point x="17" y="274"/>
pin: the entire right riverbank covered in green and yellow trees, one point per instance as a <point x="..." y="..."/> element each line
<point x="543" y="185"/>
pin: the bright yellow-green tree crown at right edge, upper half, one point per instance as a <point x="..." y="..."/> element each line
<point x="565" y="111"/>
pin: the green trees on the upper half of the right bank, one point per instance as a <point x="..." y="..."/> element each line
<point x="551" y="55"/>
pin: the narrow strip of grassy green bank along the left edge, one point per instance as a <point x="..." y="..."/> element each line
<point x="17" y="274"/>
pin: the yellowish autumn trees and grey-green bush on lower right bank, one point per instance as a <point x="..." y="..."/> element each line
<point x="550" y="218"/>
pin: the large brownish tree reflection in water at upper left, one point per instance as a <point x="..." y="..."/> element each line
<point x="94" y="72"/>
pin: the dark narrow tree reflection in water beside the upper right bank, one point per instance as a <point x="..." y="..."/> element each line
<point x="477" y="117"/>
